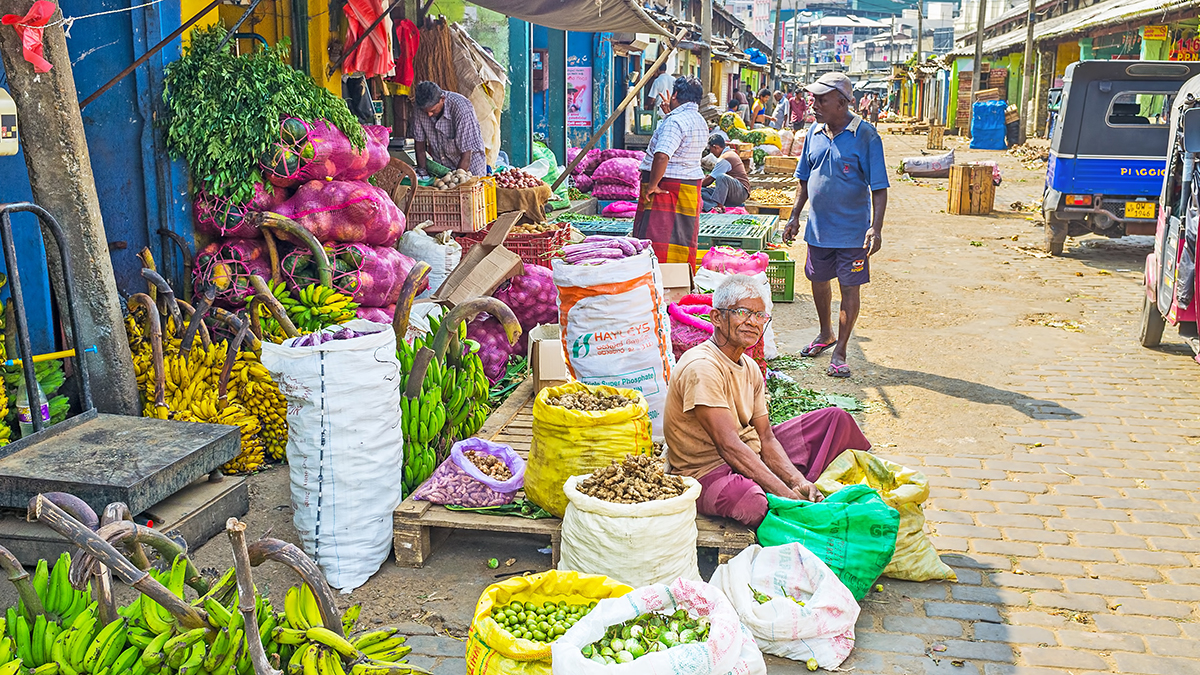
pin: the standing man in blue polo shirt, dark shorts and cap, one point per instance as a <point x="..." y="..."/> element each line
<point x="844" y="176"/>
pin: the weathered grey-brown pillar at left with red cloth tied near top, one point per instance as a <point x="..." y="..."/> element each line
<point x="62" y="181"/>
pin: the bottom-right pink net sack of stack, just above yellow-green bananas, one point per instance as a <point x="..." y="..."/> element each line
<point x="371" y="276"/>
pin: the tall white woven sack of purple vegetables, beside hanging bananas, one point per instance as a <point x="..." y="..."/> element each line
<point x="345" y="447"/>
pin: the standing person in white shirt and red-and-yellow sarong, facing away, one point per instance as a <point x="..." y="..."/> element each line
<point x="669" y="206"/>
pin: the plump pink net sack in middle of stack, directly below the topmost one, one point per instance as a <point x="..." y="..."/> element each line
<point x="345" y="211"/>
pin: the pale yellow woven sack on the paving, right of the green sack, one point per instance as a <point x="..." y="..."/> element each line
<point x="904" y="489"/>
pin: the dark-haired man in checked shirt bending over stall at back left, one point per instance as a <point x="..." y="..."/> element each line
<point x="446" y="130"/>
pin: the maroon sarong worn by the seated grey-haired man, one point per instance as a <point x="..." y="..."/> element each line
<point x="812" y="441"/>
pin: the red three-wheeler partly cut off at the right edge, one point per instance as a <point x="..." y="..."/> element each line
<point x="1172" y="284"/>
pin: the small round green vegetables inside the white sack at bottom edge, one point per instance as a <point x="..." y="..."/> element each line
<point x="649" y="634"/>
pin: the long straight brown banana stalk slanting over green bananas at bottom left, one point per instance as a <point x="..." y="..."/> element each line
<point x="47" y="513"/>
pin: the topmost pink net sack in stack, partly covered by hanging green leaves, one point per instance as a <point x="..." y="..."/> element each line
<point x="320" y="151"/>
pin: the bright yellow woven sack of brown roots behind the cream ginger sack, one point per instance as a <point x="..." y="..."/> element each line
<point x="568" y="443"/>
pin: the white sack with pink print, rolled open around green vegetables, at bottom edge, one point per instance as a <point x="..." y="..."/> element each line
<point x="730" y="649"/>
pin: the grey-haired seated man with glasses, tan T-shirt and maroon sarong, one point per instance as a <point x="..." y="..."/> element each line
<point x="717" y="427"/>
